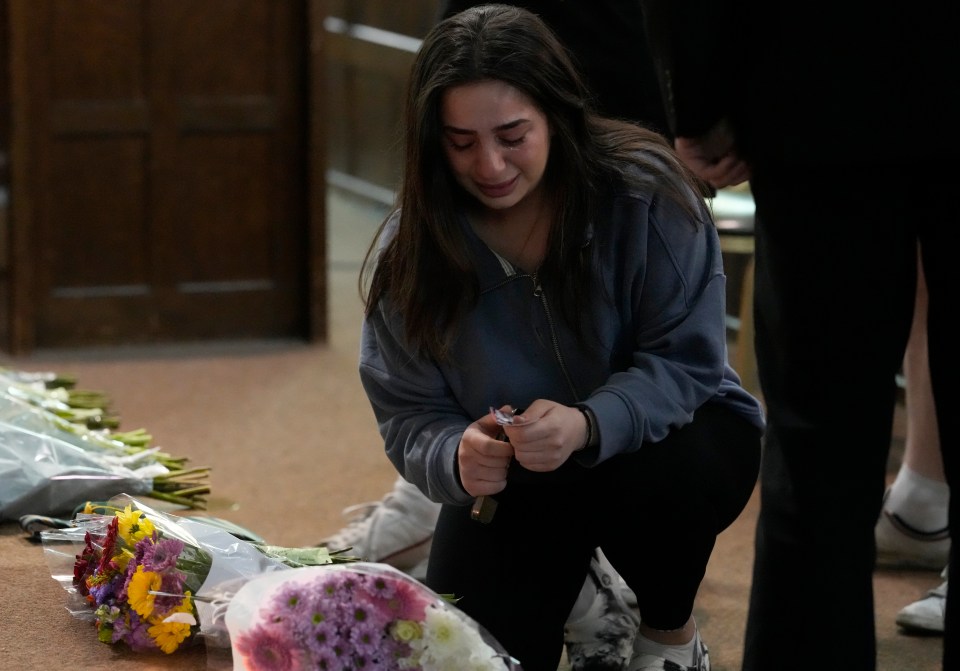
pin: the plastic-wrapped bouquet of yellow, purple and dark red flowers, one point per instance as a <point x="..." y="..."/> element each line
<point x="154" y="581"/>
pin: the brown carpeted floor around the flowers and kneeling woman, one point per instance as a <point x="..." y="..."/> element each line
<point x="292" y="441"/>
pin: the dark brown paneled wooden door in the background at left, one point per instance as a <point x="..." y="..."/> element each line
<point x="159" y="172"/>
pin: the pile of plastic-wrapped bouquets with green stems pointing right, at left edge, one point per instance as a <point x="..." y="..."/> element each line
<point x="59" y="447"/>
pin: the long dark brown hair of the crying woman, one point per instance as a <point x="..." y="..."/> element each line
<point x="424" y="270"/>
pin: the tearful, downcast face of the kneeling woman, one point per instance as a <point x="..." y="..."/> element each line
<point x="496" y="141"/>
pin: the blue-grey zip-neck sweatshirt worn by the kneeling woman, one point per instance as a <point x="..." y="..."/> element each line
<point x="656" y="351"/>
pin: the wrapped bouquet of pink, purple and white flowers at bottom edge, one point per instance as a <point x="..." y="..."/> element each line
<point x="354" y="616"/>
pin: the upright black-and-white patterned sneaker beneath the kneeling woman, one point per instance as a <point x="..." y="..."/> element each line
<point x="601" y="627"/>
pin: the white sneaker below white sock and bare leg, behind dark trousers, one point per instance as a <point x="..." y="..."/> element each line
<point x="901" y="546"/>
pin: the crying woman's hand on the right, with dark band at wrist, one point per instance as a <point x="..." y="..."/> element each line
<point x="546" y="434"/>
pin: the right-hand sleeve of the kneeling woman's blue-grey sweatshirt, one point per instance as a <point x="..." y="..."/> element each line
<point x="670" y="288"/>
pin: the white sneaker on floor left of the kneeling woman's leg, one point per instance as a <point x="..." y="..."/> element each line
<point x="396" y="530"/>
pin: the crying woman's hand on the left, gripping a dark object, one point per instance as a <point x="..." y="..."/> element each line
<point x="483" y="460"/>
